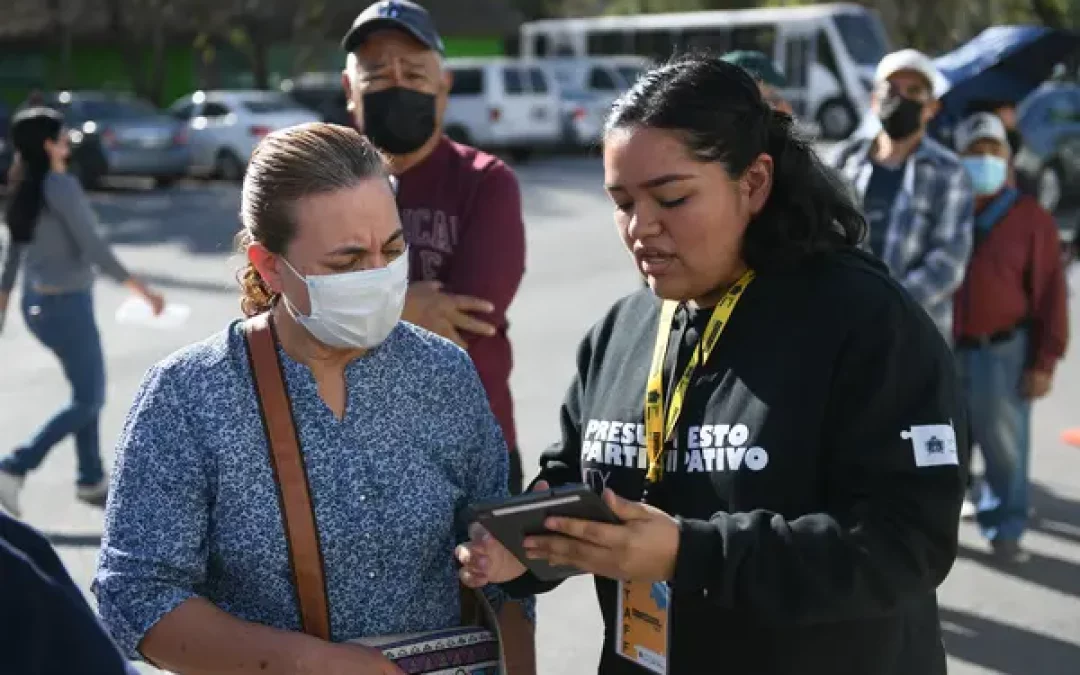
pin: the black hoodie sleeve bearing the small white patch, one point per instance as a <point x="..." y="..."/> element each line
<point x="888" y="530"/>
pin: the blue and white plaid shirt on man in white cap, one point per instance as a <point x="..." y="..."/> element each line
<point x="929" y="239"/>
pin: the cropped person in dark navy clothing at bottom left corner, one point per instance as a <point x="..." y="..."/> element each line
<point x="48" y="627"/>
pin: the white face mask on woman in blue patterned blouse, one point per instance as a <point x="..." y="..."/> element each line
<point x="355" y="310"/>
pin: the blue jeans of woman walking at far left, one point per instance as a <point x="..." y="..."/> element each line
<point x="65" y="325"/>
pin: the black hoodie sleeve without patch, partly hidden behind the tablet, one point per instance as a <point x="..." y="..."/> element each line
<point x="561" y="464"/>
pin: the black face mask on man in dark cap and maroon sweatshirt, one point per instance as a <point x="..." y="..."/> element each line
<point x="399" y="120"/>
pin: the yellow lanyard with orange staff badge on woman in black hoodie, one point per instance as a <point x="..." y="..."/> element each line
<point x="644" y="609"/>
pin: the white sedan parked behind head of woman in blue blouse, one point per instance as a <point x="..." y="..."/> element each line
<point x="224" y="127"/>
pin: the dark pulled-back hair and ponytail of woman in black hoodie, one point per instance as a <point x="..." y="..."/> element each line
<point x="718" y="109"/>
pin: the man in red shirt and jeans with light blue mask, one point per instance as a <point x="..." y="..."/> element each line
<point x="1011" y="327"/>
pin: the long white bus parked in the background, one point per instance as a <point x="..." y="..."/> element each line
<point x="828" y="52"/>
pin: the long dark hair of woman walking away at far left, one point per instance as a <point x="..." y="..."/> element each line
<point x="30" y="130"/>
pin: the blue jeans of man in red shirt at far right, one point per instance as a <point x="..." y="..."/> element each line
<point x="1001" y="421"/>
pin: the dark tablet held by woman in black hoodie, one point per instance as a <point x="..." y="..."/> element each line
<point x="518" y="518"/>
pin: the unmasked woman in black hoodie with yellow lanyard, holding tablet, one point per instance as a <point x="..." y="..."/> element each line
<point x="775" y="422"/>
